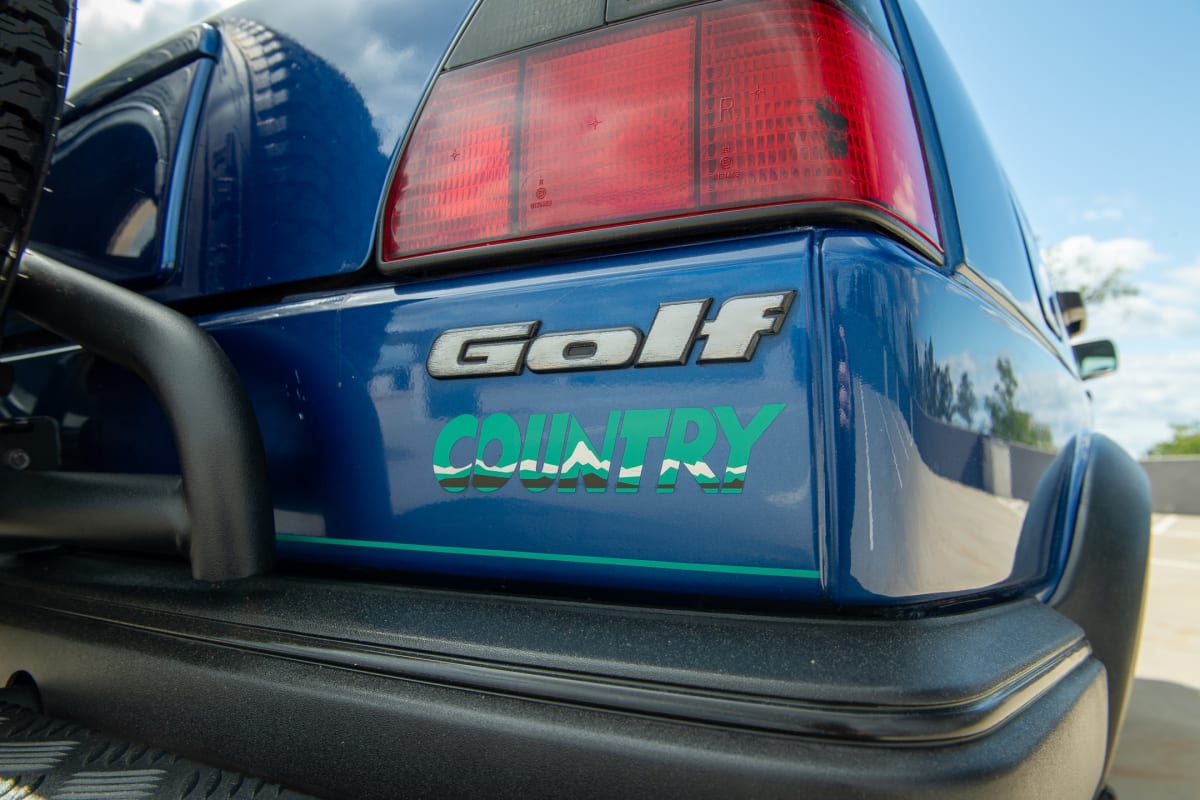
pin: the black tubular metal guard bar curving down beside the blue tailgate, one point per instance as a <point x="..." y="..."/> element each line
<point x="219" y="510"/>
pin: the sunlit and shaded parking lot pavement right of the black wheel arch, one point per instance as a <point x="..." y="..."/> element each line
<point x="1159" y="757"/>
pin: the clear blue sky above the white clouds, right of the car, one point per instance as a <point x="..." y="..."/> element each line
<point x="1093" y="107"/>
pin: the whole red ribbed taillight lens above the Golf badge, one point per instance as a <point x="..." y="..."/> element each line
<point x="723" y="106"/>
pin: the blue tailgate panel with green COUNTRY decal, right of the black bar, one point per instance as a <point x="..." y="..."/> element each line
<point x="481" y="476"/>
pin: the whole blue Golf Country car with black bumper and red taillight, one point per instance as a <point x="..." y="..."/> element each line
<point x="556" y="399"/>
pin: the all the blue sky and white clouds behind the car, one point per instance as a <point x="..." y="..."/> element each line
<point x="1094" y="111"/>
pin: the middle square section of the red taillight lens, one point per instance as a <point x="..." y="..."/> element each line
<point x="604" y="149"/>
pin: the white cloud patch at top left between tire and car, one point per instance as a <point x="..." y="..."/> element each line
<point x="110" y="32"/>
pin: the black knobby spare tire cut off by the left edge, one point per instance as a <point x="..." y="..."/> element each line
<point x="35" y="57"/>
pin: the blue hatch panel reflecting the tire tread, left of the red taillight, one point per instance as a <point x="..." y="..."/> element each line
<point x="308" y="105"/>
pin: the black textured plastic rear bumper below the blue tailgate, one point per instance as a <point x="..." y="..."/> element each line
<point x="380" y="693"/>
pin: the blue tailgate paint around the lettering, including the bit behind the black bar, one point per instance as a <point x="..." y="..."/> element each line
<point x="351" y="419"/>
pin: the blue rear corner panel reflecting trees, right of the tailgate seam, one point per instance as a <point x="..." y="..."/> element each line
<point x="938" y="452"/>
